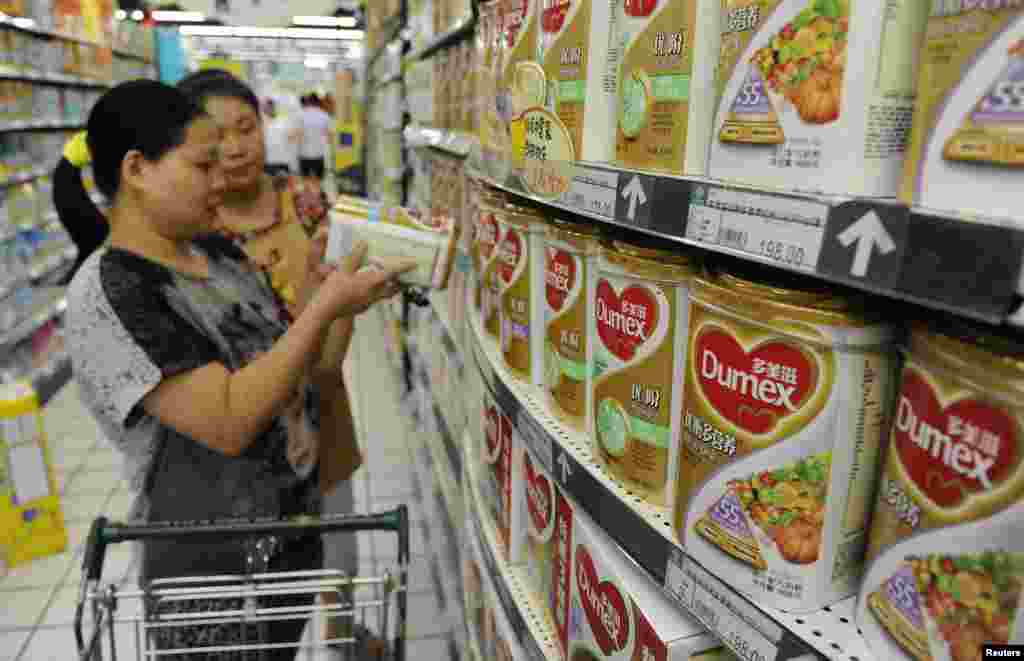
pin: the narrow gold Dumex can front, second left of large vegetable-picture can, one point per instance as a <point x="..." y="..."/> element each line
<point x="567" y="274"/>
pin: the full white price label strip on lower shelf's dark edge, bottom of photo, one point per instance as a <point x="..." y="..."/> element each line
<point x="751" y="635"/>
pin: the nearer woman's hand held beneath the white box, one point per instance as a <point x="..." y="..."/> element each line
<point x="350" y="291"/>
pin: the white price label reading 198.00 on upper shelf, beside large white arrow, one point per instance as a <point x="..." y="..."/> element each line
<point x="779" y="230"/>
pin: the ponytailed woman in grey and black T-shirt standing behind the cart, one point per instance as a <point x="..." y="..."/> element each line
<point x="183" y="354"/>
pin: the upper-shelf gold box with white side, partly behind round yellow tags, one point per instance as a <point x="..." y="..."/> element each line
<point x="580" y="59"/>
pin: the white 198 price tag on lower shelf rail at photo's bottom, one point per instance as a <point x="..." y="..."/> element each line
<point x="730" y="618"/>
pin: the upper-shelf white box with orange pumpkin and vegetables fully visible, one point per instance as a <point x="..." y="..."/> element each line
<point x="817" y="96"/>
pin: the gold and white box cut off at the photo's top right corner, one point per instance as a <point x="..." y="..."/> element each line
<point x="967" y="148"/>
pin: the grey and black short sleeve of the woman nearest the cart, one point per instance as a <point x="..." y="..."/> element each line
<point x="125" y="338"/>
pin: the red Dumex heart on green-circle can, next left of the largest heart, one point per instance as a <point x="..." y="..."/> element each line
<point x="624" y="324"/>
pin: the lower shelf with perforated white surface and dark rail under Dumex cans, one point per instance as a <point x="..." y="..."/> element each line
<point x="646" y="534"/>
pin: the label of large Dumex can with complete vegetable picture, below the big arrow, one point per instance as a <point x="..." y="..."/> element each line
<point x="781" y="443"/>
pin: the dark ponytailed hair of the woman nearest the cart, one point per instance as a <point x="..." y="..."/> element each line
<point x="144" y="116"/>
